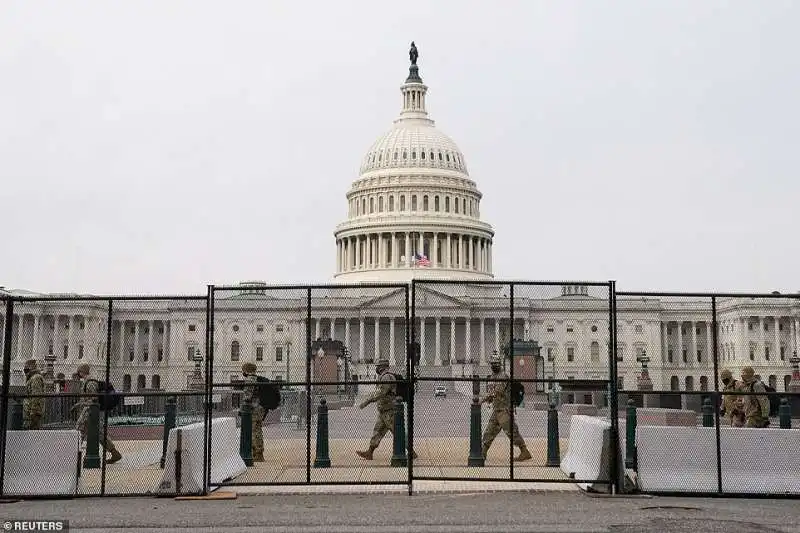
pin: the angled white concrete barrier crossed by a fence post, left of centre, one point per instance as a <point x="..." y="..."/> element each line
<point x="226" y="463"/>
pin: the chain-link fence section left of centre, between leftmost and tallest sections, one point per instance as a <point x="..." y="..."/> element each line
<point x="320" y="345"/>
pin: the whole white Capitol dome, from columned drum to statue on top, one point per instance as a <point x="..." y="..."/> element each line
<point x="414" y="211"/>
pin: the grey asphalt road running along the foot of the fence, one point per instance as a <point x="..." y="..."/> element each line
<point x="434" y="513"/>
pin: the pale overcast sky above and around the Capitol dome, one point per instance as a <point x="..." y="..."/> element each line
<point x="157" y="147"/>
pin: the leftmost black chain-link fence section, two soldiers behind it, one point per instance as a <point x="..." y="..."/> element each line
<point x="88" y="383"/>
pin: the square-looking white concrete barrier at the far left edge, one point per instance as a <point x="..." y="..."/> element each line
<point x="41" y="463"/>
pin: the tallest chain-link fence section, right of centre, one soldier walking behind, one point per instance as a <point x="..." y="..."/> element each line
<point x="509" y="360"/>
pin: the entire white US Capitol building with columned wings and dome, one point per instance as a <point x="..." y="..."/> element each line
<point x="413" y="212"/>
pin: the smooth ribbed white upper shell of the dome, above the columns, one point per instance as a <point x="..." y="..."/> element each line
<point x="414" y="145"/>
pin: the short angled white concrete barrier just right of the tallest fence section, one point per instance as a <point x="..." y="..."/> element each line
<point x="588" y="452"/>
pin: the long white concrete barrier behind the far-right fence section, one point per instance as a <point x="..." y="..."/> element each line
<point x="684" y="459"/>
